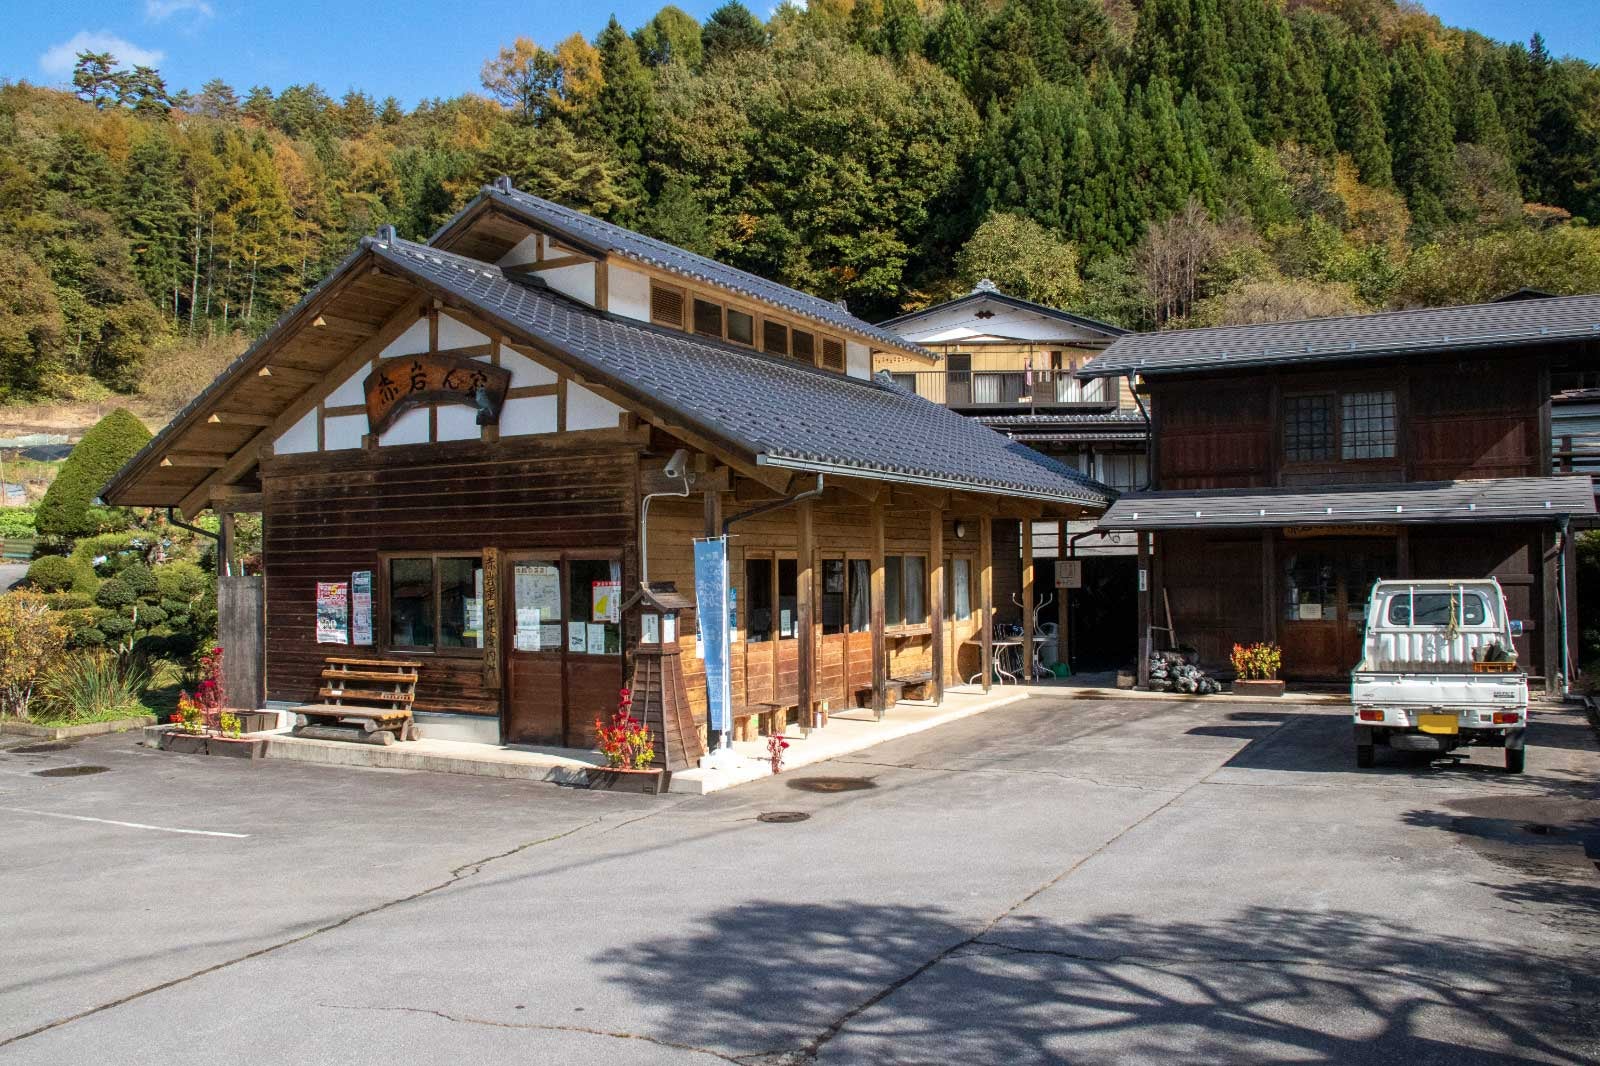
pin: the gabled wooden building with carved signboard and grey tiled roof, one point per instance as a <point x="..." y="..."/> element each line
<point x="492" y="428"/>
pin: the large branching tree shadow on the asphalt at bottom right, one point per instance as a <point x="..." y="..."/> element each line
<point x="847" y="982"/>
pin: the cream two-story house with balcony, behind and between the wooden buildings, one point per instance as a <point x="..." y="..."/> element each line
<point x="1012" y="366"/>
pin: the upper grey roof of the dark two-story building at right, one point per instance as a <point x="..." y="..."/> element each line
<point x="1516" y="324"/>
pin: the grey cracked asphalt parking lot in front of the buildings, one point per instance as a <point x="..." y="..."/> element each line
<point x="1054" y="881"/>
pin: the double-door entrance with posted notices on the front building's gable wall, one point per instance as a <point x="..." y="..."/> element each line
<point x="564" y="655"/>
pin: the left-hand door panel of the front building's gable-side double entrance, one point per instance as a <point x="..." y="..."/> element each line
<point x="535" y="651"/>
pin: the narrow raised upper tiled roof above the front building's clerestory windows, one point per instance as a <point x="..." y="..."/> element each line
<point x="590" y="233"/>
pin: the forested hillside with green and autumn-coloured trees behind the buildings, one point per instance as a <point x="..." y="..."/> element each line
<point x="1153" y="164"/>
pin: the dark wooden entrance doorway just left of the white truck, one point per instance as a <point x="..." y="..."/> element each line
<point x="1326" y="587"/>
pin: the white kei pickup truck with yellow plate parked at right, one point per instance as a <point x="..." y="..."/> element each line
<point x="1439" y="671"/>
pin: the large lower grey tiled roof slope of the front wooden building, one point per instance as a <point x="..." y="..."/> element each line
<point x="780" y="412"/>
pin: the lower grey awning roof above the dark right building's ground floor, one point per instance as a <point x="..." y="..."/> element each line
<point x="1490" y="500"/>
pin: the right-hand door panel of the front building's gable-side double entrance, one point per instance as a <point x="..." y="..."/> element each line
<point x="593" y="673"/>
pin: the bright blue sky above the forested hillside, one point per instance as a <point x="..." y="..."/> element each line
<point x="412" y="49"/>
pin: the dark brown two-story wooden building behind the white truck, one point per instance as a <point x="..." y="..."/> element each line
<point x="1297" y="463"/>
